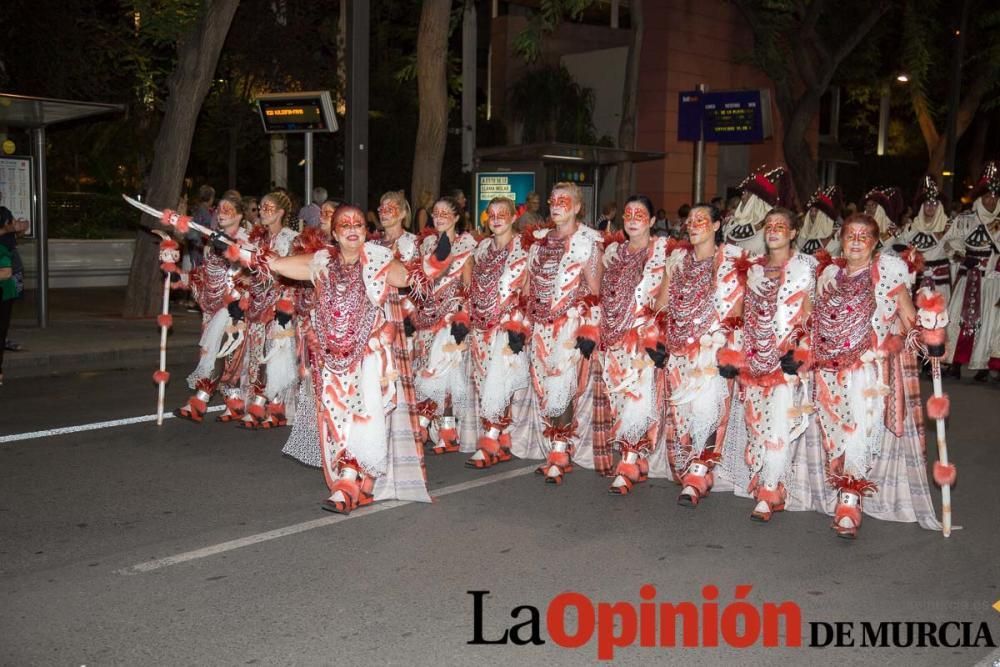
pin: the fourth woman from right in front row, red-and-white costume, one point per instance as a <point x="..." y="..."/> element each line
<point x="631" y="355"/>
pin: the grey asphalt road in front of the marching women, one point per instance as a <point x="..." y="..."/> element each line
<point x="187" y="544"/>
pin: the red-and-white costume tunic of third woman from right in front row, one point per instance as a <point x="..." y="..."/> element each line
<point x="702" y="295"/>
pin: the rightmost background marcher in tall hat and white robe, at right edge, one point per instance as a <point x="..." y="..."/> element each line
<point x="974" y="318"/>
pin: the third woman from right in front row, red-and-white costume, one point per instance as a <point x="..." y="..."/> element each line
<point x="702" y="295"/>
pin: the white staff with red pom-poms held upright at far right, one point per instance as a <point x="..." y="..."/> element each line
<point x="932" y="320"/>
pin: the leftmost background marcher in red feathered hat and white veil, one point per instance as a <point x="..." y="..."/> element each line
<point x="761" y="191"/>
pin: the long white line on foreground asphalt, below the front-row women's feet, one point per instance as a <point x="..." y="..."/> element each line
<point x="278" y="533"/>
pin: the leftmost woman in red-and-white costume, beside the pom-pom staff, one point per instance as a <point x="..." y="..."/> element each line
<point x="221" y="291"/>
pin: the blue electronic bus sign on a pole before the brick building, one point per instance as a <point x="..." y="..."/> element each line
<point x="731" y="116"/>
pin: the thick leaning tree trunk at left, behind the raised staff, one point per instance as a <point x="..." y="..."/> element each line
<point x="197" y="56"/>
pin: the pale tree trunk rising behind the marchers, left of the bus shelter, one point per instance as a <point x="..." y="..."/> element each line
<point x="432" y="93"/>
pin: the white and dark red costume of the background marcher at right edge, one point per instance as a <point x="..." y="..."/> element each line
<point x="973" y="317"/>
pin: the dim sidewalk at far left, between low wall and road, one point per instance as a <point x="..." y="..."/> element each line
<point x="87" y="332"/>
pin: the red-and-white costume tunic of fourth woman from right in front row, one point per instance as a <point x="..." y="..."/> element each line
<point x="629" y="289"/>
